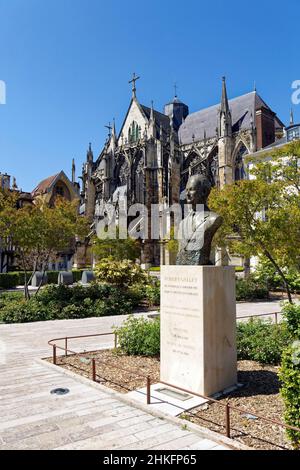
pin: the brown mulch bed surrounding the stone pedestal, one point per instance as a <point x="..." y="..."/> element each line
<point x="259" y="394"/>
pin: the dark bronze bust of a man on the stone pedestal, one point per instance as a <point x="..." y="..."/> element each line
<point x="196" y="231"/>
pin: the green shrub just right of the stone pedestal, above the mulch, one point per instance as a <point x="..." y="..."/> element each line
<point x="262" y="341"/>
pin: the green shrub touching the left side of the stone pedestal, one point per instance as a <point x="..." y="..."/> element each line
<point x="139" y="336"/>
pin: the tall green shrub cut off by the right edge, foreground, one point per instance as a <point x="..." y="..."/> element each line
<point x="290" y="386"/>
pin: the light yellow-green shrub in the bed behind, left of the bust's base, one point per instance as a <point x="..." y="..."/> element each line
<point x="121" y="273"/>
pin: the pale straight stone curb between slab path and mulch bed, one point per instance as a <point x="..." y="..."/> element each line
<point x="199" y="430"/>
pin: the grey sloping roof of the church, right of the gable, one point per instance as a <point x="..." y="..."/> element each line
<point x="207" y="119"/>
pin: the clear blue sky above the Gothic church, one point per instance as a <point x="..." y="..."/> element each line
<point x="66" y="65"/>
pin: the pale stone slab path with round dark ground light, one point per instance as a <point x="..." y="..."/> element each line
<point x="89" y="416"/>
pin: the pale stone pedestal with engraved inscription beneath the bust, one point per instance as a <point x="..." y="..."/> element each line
<point x="198" y="328"/>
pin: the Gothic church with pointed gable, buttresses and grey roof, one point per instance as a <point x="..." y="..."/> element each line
<point x="150" y="160"/>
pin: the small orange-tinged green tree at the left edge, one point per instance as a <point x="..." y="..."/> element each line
<point x="39" y="232"/>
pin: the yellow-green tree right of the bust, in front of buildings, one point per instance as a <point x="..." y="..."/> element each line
<point x="262" y="215"/>
